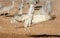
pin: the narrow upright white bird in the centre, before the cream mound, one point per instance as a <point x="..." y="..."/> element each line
<point x="28" y="21"/>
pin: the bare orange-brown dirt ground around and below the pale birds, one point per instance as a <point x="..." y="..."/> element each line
<point x="50" y="27"/>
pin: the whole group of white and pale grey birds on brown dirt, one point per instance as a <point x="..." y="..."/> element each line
<point x="43" y="14"/>
